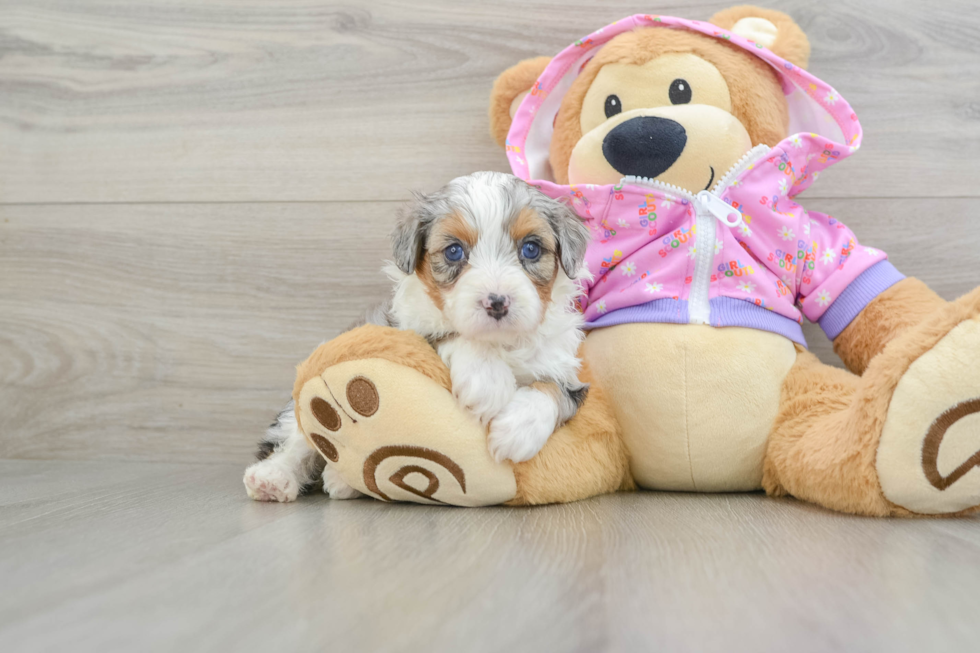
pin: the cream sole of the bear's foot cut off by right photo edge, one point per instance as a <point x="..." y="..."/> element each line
<point x="928" y="457"/>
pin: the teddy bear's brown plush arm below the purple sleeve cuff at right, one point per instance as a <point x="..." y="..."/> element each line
<point x="899" y="308"/>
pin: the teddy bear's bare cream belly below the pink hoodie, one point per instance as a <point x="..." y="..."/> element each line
<point x="696" y="403"/>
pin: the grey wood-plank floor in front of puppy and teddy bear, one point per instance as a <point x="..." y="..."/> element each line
<point x="169" y="557"/>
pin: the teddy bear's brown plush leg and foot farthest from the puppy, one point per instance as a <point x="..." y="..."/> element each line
<point x="902" y="439"/>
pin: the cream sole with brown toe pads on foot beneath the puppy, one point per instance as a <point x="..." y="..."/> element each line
<point x="395" y="434"/>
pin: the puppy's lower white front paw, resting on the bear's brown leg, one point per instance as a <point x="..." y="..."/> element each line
<point x="523" y="427"/>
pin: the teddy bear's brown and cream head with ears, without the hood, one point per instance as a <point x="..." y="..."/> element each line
<point x="667" y="104"/>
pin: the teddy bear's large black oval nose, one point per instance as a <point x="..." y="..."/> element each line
<point x="644" y="146"/>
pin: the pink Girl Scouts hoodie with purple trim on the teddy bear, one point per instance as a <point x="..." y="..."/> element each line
<point x="744" y="254"/>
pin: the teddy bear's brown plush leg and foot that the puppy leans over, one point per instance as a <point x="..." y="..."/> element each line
<point x="377" y="403"/>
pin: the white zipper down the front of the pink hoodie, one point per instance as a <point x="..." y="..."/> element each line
<point x="709" y="209"/>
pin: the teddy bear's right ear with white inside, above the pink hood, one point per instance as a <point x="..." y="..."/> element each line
<point x="770" y="29"/>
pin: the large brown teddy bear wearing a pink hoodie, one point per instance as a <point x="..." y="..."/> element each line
<point x="682" y="144"/>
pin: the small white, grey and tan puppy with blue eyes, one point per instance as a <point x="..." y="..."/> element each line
<point x="484" y="269"/>
